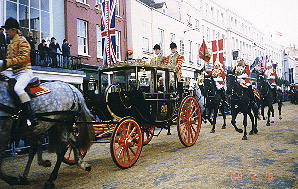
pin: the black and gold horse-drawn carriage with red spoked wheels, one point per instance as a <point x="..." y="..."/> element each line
<point x="133" y="100"/>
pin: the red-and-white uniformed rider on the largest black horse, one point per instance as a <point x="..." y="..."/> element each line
<point x="242" y="71"/>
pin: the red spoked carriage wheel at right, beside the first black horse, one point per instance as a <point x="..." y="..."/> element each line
<point x="189" y="121"/>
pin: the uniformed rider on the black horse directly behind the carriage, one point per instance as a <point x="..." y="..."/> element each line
<point x="219" y="76"/>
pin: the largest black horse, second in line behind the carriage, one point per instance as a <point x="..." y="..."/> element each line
<point x="240" y="102"/>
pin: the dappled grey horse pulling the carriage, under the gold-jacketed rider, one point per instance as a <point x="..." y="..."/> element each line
<point x="57" y="112"/>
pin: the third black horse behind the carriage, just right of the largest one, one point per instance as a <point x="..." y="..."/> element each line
<point x="267" y="98"/>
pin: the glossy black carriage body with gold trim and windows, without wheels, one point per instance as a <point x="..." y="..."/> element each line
<point x="139" y="93"/>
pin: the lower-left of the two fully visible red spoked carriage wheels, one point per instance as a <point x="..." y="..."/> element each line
<point x="126" y="143"/>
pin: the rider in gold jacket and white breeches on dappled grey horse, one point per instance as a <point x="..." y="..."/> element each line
<point x="18" y="59"/>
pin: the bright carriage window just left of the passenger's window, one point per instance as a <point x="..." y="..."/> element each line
<point x="146" y="81"/>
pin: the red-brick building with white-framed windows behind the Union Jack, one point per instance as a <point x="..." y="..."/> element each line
<point x="82" y="29"/>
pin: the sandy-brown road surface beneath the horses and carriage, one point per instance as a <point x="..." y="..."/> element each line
<point x="218" y="160"/>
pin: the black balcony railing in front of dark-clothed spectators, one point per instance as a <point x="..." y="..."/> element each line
<point x="50" y="59"/>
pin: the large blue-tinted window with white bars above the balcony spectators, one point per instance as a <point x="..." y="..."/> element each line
<point x="33" y="15"/>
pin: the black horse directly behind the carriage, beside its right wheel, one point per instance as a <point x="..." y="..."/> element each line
<point x="213" y="102"/>
